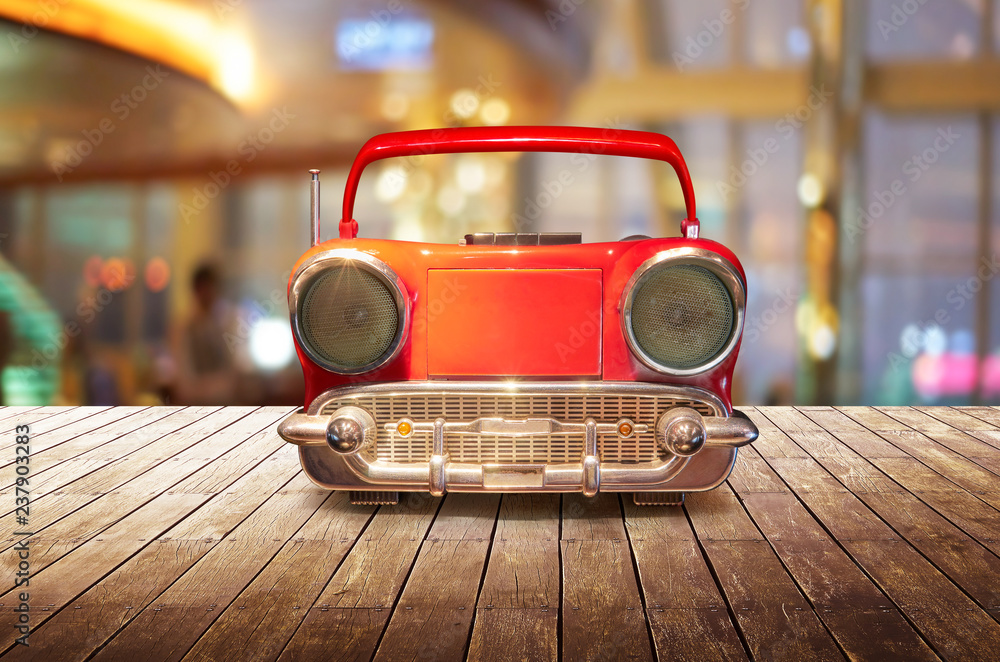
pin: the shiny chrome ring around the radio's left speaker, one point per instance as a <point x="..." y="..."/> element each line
<point x="319" y="265"/>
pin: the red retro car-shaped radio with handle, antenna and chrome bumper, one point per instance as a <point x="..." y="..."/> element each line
<point x="517" y="362"/>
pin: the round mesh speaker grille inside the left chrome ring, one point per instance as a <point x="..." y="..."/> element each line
<point x="349" y="317"/>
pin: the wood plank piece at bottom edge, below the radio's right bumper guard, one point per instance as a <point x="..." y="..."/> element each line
<point x="603" y="617"/>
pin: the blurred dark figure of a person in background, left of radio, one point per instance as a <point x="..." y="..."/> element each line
<point x="205" y="371"/>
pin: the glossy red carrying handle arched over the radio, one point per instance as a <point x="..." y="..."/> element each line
<point x="615" y="142"/>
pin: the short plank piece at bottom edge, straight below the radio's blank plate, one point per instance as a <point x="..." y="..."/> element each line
<point x="514" y="635"/>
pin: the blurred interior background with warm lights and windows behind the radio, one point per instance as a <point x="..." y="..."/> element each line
<point x="154" y="194"/>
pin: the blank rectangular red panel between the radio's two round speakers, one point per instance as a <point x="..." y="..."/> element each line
<point x="513" y="322"/>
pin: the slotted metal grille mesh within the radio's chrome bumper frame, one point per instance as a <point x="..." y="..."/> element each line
<point x="540" y="449"/>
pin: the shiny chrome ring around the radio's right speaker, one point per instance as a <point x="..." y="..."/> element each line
<point x="722" y="268"/>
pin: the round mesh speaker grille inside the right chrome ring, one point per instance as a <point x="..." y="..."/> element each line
<point x="682" y="316"/>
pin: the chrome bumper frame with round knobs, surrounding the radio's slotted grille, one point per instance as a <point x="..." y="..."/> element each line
<point x="696" y="433"/>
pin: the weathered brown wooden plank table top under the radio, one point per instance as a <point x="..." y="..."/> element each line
<point x="190" y="533"/>
